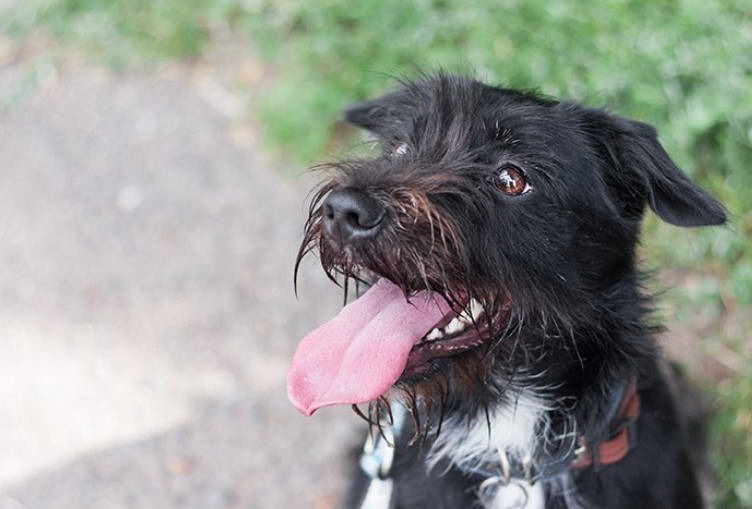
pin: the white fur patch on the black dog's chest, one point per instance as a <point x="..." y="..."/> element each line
<point x="512" y="428"/>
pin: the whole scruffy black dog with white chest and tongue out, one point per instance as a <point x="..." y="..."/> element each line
<point x="497" y="230"/>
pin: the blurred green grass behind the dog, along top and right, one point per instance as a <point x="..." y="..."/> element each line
<point x="684" y="66"/>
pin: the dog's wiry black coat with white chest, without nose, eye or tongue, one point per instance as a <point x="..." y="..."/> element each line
<point x="554" y="269"/>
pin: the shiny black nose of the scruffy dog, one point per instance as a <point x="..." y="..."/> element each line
<point x="350" y="214"/>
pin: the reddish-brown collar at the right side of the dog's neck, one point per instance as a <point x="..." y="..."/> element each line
<point x="623" y="437"/>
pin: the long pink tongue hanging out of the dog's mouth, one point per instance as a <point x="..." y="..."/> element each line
<point x="360" y="353"/>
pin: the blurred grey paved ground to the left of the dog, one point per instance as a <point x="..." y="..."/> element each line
<point x="146" y="305"/>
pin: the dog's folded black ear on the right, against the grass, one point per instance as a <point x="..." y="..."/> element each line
<point x="644" y="173"/>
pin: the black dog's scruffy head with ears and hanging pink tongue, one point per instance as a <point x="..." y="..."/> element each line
<point x="491" y="224"/>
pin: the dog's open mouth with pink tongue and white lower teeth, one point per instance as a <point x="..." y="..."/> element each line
<point x="375" y="341"/>
